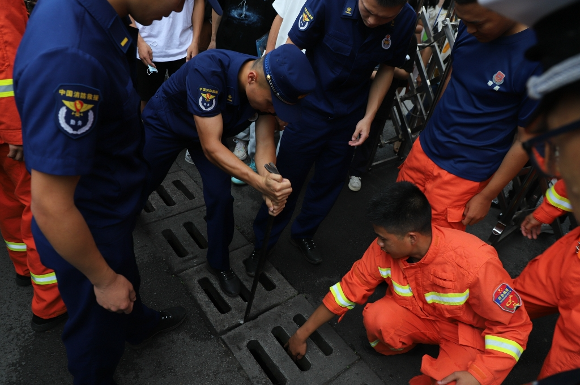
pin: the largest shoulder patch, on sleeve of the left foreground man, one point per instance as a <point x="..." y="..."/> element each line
<point x="76" y="109"/>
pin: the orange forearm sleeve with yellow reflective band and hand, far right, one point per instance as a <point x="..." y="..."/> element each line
<point x="555" y="204"/>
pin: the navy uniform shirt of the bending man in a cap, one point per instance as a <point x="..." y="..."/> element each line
<point x="205" y="86"/>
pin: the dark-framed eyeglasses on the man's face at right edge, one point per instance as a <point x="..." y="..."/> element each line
<point x="543" y="153"/>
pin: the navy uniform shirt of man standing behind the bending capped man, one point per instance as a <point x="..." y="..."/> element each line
<point x="344" y="52"/>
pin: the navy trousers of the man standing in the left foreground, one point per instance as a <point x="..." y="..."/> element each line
<point x="94" y="338"/>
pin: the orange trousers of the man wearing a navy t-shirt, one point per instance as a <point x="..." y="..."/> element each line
<point x="447" y="193"/>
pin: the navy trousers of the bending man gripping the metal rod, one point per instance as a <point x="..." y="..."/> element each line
<point x="161" y="149"/>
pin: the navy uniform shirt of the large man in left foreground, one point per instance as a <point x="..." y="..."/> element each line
<point x="80" y="112"/>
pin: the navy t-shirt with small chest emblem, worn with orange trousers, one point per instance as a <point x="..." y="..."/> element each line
<point x="474" y="123"/>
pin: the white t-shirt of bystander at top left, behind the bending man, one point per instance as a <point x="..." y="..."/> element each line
<point x="170" y="36"/>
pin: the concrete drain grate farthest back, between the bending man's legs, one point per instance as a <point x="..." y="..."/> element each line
<point x="178" y="193"/>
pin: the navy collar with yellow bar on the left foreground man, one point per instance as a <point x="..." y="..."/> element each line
<point x="108" y="18"/>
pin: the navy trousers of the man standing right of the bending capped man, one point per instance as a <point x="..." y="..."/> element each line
<point x="314" y="140"/>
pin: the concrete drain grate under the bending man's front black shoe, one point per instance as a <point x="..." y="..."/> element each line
<point x="225" y="313"/>
